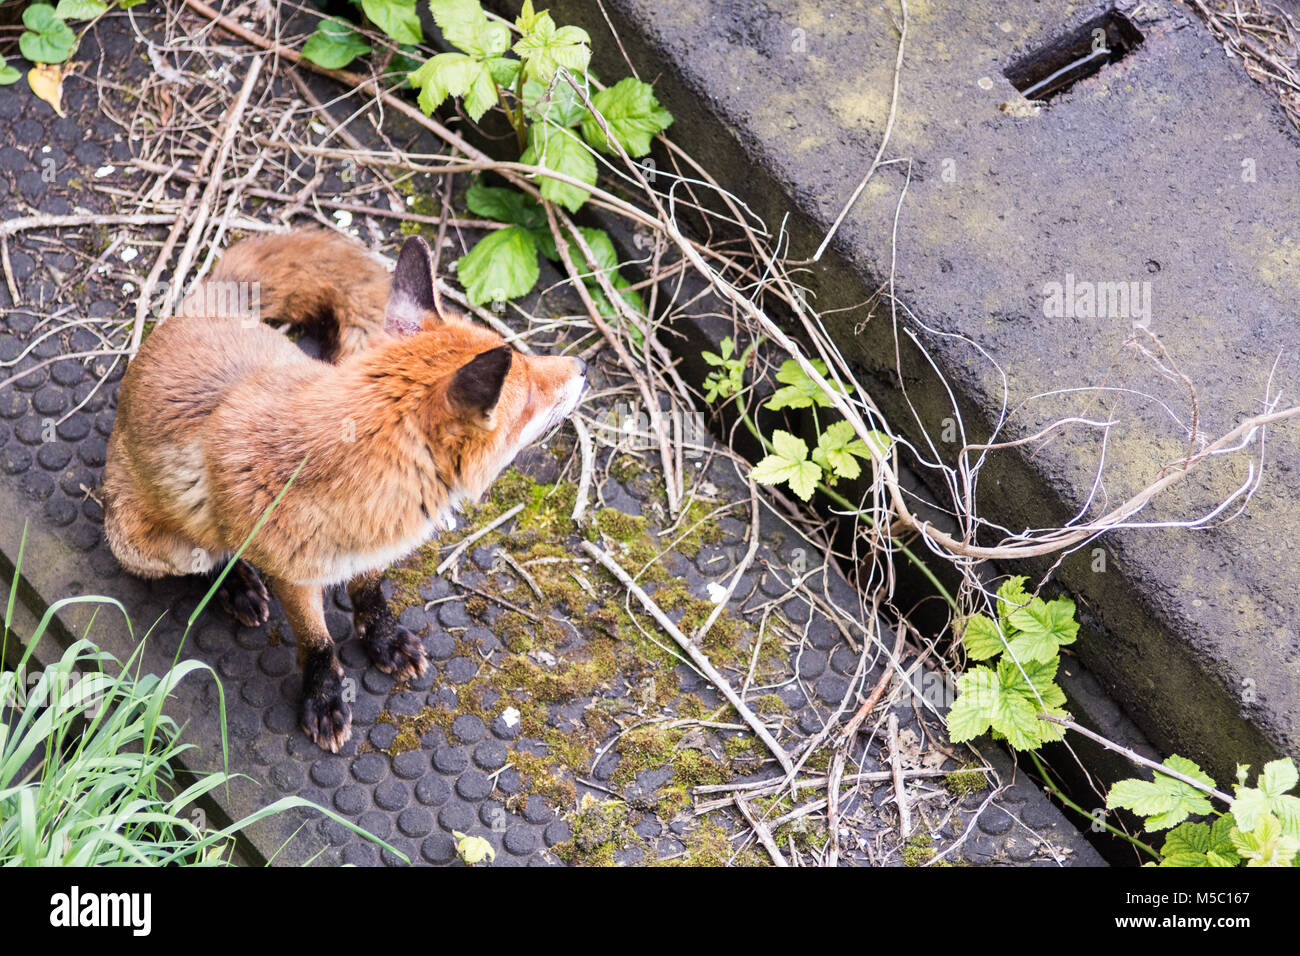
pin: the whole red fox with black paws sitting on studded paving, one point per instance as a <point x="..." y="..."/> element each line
<point x="413" y="414"/>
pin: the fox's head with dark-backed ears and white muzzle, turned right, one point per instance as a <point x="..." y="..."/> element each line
<point x="480" y="401"/>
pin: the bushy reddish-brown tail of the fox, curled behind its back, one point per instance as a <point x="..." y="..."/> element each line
<point x="306" y="278"/>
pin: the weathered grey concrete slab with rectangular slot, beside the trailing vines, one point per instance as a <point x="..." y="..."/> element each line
<point x="1169" y="168"/>
